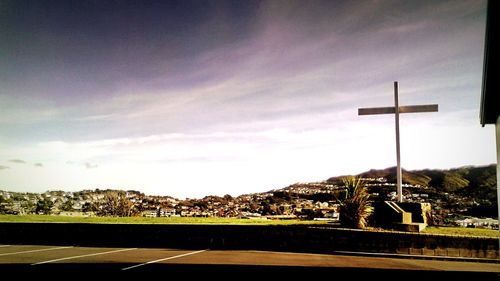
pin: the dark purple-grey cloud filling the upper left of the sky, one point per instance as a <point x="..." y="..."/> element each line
<point x="115" y="38"/>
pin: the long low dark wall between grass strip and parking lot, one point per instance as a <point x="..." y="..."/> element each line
<point x="310" y="239"/>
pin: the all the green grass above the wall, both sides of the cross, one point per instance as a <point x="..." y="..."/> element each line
<point x="184" y="220"/>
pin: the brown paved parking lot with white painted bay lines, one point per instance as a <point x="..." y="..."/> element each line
<point x="39" y="259"/>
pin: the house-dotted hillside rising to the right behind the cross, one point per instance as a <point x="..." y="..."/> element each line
<point x="464" y="191"/>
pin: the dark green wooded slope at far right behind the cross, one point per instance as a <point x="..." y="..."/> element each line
<point x="459" y="192"/>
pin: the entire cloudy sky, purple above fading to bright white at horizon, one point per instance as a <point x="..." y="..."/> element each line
<point x="196" y="98"/>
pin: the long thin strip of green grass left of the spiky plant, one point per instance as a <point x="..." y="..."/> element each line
<point x="144" y="220"/>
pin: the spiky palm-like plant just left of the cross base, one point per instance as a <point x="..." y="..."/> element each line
<point x="354" y="206"/>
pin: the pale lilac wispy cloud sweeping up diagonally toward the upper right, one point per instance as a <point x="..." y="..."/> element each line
<point x="298" y="60"/>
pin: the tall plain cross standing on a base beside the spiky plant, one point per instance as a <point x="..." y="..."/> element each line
<point x="396" y="109"/>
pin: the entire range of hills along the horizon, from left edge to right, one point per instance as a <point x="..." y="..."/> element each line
<point x="454" y="194"/>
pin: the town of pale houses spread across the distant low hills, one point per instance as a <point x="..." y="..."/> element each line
<point x="311" y="201"/>
